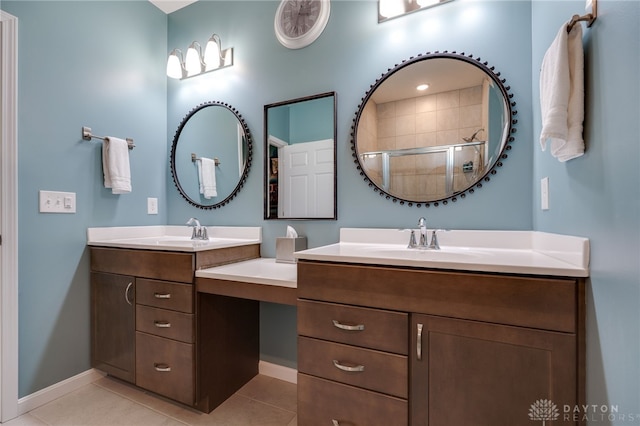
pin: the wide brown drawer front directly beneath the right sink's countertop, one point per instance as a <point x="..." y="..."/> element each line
<point x="536" y="302"/>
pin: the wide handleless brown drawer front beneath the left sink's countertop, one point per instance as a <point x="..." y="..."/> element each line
<point x="144" y="263"/>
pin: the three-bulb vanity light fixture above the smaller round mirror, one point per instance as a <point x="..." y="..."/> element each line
<point x="195" y="62"/>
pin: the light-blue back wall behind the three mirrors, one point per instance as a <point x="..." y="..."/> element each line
<point x="353" y="51"/>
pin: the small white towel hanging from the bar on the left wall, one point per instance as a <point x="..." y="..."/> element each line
<point x="115" y="165"/>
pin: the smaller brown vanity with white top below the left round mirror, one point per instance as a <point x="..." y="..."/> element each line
<point x="144" y="308"/>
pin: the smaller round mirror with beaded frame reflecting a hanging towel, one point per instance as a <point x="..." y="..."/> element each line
<point x="211" y="155"/>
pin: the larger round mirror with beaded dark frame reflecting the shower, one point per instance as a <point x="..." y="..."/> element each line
<point x="433" y="128"/>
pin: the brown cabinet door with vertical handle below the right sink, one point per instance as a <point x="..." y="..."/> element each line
<point x="474" y="373"/>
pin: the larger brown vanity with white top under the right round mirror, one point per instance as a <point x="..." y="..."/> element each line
<point x="474" y="335"/>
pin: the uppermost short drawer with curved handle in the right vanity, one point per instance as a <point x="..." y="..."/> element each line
<point x="370" y="328"/>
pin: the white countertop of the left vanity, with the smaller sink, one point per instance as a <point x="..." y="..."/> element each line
<point x="173" y="238"/>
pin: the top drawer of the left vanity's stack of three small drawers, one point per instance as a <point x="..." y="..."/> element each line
<point x="165" y="295"/>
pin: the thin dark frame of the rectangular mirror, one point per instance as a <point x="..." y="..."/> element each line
<point x="335" y="155"/>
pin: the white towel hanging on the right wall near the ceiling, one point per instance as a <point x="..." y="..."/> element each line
<point x="562" y="95"/>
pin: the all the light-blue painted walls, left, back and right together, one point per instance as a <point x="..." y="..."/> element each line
<point x="113" y="80"/>
